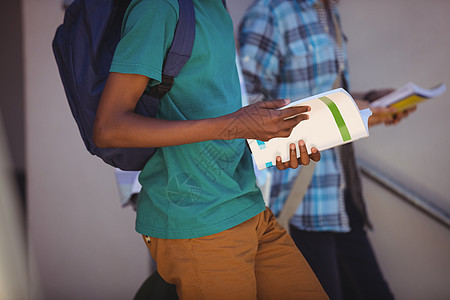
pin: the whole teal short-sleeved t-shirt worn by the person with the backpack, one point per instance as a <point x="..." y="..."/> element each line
<point x="197" y="189"/>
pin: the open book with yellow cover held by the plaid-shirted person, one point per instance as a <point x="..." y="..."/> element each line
<point x="408" y="96"/>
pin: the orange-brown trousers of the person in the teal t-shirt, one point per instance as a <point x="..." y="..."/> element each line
<point x="255" y="260"/>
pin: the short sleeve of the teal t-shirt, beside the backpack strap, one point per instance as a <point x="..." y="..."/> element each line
<point x="147" y="33"/>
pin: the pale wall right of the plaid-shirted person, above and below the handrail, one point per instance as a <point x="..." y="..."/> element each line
<point x="391" y="43"/>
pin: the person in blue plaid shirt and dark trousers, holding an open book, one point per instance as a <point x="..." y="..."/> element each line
<point x="295" y="49"/>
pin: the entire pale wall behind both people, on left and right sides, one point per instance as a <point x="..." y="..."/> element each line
<point x="84" y="244"/>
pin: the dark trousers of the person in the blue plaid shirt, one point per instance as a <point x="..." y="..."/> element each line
<point x="344" y="263"/>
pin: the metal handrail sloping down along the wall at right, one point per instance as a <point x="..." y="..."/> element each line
<point x="425" y="206"/>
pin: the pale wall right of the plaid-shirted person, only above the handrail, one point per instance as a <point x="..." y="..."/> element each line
<point x="391" y="43"/>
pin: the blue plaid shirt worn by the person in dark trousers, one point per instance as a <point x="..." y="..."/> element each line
<point x="287" y="52"/>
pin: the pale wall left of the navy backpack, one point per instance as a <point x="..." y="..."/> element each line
<point x="83" y="243"/>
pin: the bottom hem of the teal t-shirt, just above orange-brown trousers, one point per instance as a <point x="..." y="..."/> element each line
<point x="196" y="233"/>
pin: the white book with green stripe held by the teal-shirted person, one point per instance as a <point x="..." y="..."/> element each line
<point x="334" y="119"/>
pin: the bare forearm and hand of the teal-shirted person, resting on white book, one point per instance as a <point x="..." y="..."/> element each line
<point x="259" y="121"/>
